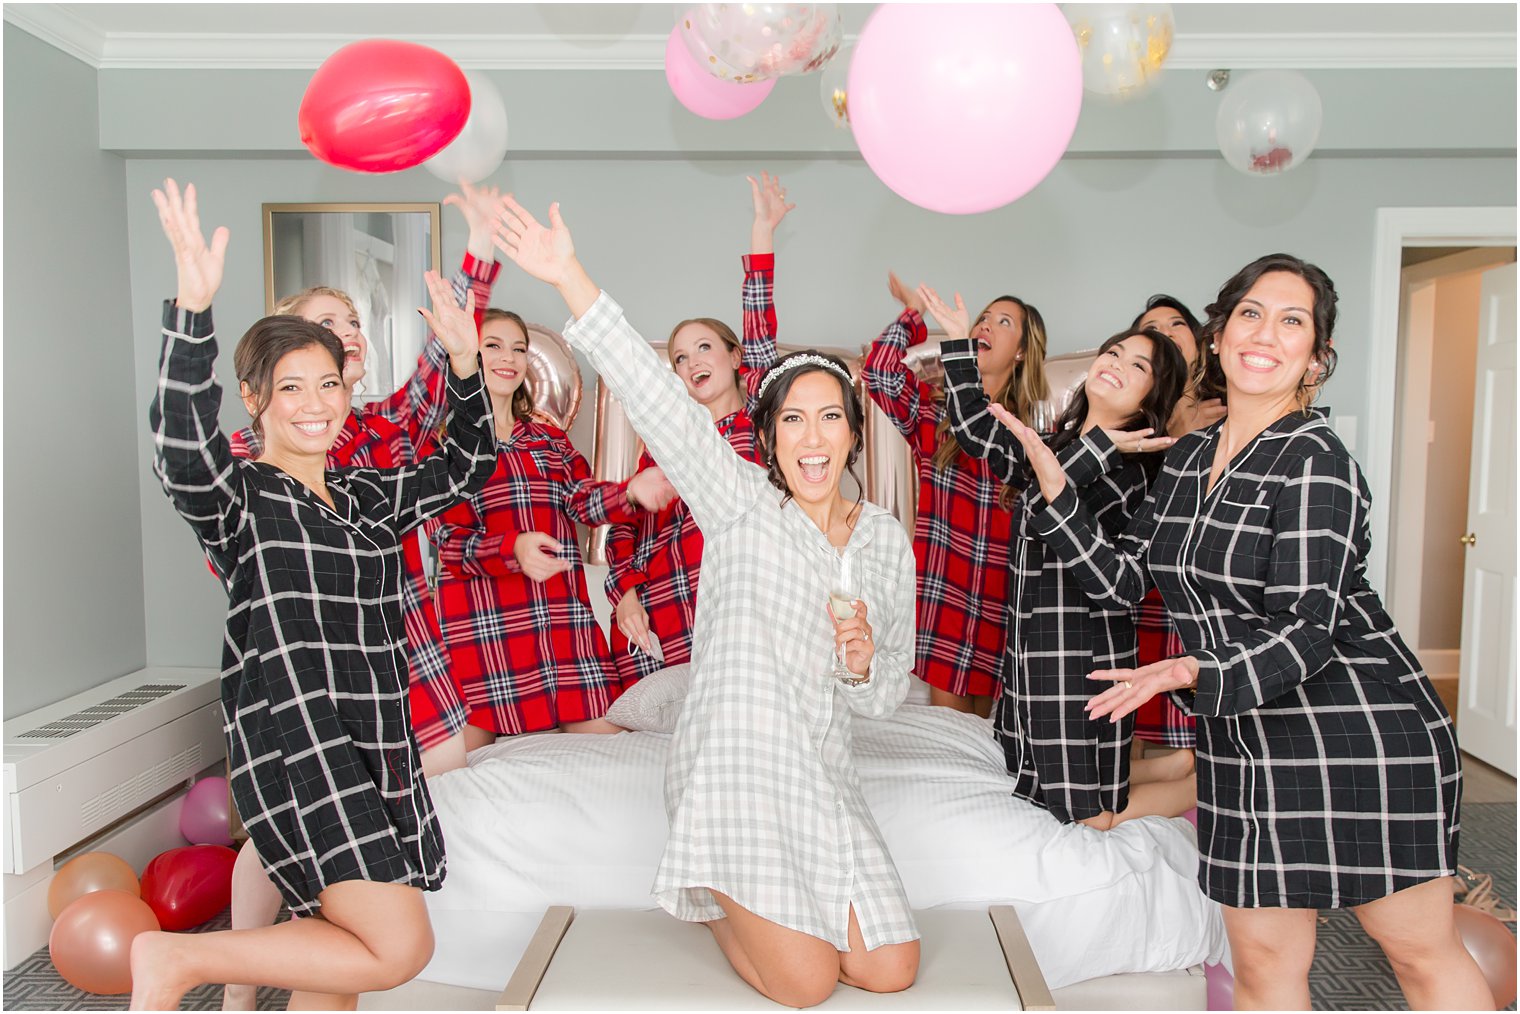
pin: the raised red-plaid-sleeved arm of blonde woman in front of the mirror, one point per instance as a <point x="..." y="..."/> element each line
<point x="420" y="405"/>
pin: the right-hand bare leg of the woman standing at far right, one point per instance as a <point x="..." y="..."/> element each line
<point x="1417" y="931"/>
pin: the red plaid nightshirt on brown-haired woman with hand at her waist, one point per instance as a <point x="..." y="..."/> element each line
<point x="527" y="656"/>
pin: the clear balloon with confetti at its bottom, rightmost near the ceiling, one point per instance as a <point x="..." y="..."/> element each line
<point x="1268" y="122"/>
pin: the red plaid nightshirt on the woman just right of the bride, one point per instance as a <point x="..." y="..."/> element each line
<point x="961" y="534"/>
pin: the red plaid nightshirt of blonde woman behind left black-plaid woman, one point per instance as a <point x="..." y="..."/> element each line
<point x="401" y="431"/>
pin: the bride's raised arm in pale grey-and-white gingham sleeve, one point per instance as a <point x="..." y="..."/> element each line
<point x="705" y="469"/>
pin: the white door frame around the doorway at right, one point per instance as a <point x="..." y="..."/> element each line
<point x="1399" y="229"/>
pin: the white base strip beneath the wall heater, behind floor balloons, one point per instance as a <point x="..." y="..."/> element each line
<point x="136" y="840"/>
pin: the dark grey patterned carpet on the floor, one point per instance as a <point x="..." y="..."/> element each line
<point x="1351" y="972"/>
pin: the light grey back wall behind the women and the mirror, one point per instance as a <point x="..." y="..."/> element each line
<point x="1088" y="247"/>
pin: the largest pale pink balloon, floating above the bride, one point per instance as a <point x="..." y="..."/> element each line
<point x="1002" y="83"/>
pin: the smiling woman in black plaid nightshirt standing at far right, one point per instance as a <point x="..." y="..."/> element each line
<point x="1328" y="768"/>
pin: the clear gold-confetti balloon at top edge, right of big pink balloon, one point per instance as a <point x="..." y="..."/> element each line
<point x="1124" y="45"/>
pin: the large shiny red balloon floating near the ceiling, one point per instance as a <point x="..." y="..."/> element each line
<point x="382" y="106"/>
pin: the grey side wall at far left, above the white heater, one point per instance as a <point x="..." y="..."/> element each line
<point x="74" y="565"/>
